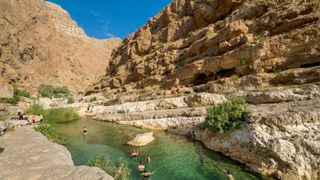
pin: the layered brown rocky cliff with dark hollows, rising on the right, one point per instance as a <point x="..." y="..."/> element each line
<point x="195" y="42"/>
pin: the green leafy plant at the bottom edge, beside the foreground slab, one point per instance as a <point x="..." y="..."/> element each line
<point x="119" y="171"/>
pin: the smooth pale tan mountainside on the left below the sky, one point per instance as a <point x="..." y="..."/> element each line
<point x="40" y="43"/>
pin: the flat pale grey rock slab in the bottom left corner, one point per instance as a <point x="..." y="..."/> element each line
<point x="35" y="157"/>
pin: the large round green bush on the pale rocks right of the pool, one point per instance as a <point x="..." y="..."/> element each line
<point x="226" y="116"/>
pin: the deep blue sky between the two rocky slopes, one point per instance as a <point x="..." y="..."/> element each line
<point x="108" y="18"/>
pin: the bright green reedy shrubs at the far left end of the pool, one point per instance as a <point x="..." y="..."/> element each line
<point x="55" y="115"/>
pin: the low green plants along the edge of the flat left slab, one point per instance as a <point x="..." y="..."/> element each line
<point x="51" y="132"/>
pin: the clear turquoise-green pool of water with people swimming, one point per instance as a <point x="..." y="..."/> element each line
<point x="173" y="157"/>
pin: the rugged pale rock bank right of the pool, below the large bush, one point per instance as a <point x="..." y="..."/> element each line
<point x="279" y="140"/>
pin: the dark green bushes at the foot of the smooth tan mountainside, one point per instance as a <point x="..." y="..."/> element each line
<point x="49" y="91"/>
